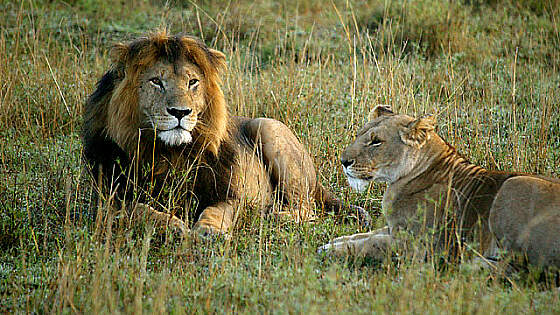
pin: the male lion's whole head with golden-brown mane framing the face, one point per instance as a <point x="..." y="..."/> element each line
<point x="167" y="86"/>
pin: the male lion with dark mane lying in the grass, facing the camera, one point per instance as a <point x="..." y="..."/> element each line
<point x="157" y="129"/>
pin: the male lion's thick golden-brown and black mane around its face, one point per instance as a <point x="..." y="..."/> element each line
<point x="138" y="165"/>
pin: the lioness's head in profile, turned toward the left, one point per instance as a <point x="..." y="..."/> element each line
<point x="387" y="148"/>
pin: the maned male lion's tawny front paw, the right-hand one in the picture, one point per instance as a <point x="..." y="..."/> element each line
<point x="215" y="219"/>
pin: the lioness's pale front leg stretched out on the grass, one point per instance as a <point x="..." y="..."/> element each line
<point x="372" y="244"/>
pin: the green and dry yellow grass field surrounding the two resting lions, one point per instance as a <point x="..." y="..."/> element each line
<point x="488" y="69"/>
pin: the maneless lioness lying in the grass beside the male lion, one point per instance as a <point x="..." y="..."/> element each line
<point x="436" y="193"/>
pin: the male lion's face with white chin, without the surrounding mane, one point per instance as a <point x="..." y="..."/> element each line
<point x="170" y="100"/>
